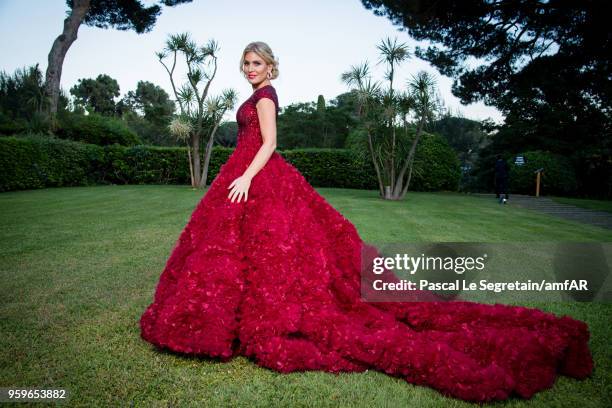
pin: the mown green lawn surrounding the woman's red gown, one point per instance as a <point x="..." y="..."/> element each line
<point x="79" y="266"/>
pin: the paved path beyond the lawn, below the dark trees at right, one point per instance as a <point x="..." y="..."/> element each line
<point x="548" y="206"/>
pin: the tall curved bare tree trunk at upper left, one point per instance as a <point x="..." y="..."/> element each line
<point x="59" y="49"/>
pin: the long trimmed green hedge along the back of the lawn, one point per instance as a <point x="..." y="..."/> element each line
<point x="28" y="162"/>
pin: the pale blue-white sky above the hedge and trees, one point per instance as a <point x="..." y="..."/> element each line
<point x="314" y="41"/>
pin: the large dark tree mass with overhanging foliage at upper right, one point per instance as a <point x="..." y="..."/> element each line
<point x="544" y="64"/>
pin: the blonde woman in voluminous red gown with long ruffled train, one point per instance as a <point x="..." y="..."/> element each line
<point x="268" y="269"/>
